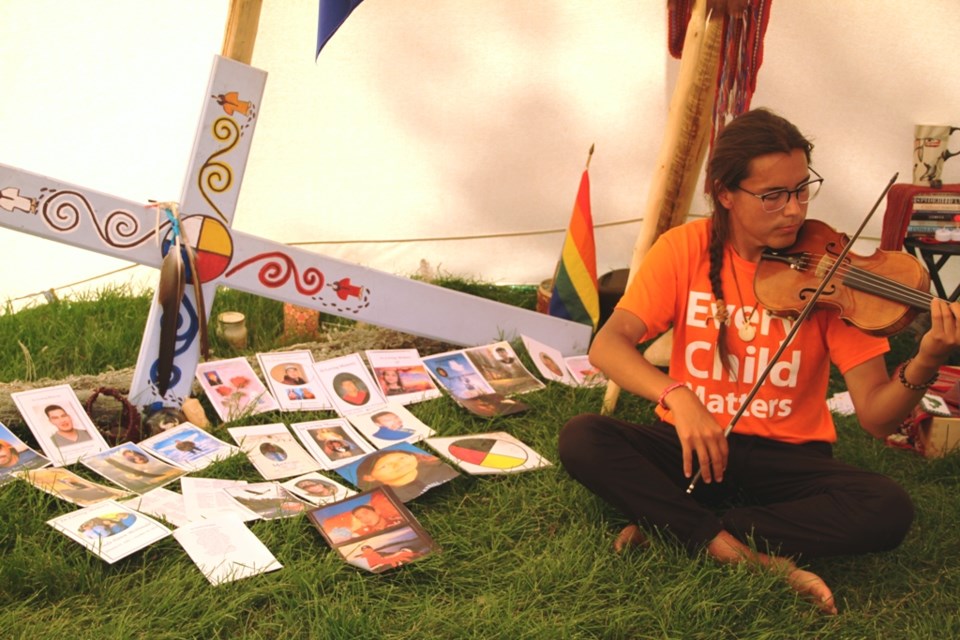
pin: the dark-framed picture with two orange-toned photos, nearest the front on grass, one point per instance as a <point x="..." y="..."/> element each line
<point x="373" y="531"/>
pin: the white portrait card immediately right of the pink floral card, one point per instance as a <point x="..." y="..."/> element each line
<point x="292" y="380"/>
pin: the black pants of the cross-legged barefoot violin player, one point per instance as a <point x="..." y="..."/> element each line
<point x="792" y="499"/>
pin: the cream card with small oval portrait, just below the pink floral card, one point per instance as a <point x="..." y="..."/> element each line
<point x="273" y="450"/>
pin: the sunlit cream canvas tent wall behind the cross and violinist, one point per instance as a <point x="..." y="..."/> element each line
<point x="450" y="132"/>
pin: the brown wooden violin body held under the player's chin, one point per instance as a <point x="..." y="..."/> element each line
<point x="880" y="293"/>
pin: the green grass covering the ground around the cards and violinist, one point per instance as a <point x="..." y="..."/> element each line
<point x="523" y="556"/>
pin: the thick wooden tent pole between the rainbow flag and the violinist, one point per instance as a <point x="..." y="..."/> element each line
<point x="685" y="141"/>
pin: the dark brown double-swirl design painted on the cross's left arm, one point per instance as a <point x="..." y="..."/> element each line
<point x="63" y="211"/>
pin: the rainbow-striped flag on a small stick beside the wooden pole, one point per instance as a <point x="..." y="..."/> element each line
<point x="575" y="294"/>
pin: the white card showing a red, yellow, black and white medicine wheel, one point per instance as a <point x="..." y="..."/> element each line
<point x="488" y="453"/>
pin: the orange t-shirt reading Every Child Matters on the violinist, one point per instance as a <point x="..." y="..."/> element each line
<point x="672" y="287"/>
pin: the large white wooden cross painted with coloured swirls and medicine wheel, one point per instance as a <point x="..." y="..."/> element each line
<point x="129" y="230"/>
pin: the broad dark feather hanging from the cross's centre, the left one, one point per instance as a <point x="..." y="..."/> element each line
<point x="169" y="294"/>
